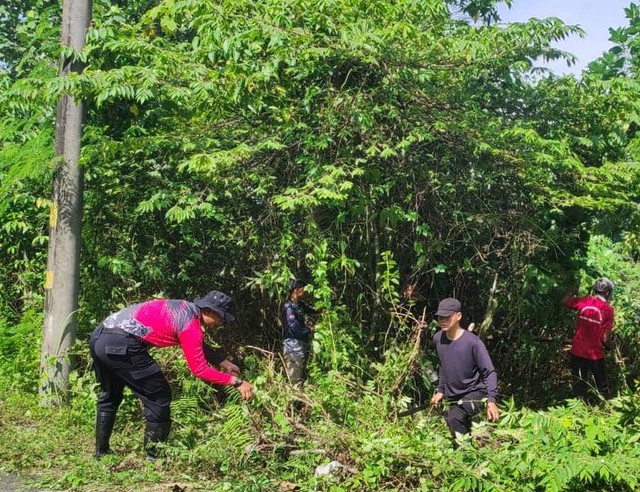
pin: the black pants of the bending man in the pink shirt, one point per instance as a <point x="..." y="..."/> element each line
<point x="120" y="360"/>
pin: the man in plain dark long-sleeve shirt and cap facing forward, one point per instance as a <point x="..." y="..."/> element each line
<point x="467" y="376"/>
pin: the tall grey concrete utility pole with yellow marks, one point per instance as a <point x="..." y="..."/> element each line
<point x="61" y="283"/>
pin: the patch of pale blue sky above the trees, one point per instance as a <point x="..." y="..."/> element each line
<point x="594" y="16"/>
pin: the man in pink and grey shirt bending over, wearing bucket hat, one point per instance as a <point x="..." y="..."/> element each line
<point x="119" y="348"/>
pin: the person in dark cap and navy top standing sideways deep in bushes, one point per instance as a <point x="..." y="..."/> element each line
<point x="296" y="333"/>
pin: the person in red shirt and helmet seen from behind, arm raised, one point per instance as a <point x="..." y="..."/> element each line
<point x="593" y="330"/>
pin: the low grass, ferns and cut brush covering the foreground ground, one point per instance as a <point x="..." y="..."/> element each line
<point x="284" y="434"/>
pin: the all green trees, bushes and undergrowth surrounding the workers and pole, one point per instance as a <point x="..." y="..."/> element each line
<point x="235" y="144"/>
